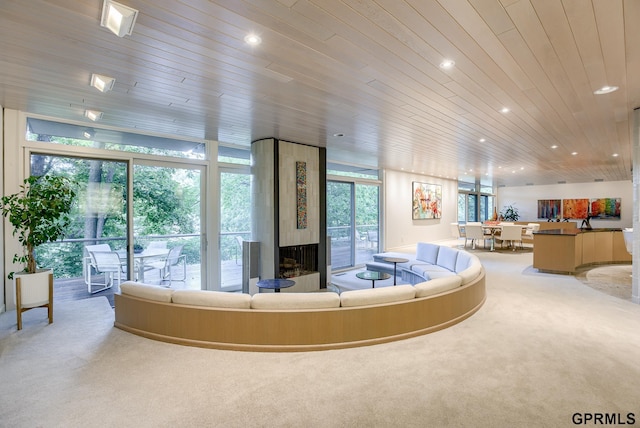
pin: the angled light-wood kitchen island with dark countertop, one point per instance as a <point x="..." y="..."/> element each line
<point x="566" y="250"/>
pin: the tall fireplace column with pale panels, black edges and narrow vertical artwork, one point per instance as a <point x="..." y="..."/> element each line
<point x="289" y="179"/>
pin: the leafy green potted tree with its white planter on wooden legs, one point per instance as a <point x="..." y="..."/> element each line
<point x="39" y="213"/>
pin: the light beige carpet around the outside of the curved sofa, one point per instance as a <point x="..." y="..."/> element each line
<point x="542" y="348"/>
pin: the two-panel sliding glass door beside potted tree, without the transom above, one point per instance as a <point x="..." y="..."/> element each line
<point x="166" y="229"/>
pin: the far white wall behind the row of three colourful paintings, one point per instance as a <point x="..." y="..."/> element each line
<point x="525" y="198"/>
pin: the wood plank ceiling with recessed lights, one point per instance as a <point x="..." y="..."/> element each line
<point x="368" y="69"/>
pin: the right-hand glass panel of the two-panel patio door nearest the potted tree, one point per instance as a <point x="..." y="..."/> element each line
<point x="167" y="231"/>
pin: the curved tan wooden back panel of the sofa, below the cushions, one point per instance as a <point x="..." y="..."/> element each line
<point x="297" y="330"/>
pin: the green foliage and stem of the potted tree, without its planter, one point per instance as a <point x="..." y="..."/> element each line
<point x="39" y="213"/>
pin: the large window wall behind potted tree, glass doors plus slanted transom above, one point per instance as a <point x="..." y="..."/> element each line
<point x="139" y="197"/>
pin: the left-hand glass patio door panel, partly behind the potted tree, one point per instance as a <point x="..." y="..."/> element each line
<point x="99" y="224"/>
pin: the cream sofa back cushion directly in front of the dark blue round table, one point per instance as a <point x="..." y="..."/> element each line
<point x="319" y="300"/>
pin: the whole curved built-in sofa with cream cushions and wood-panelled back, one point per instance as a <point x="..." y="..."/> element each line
<point x="304" y="321"/>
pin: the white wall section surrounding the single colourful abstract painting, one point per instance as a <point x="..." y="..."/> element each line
<point x="400" y="231"/>
